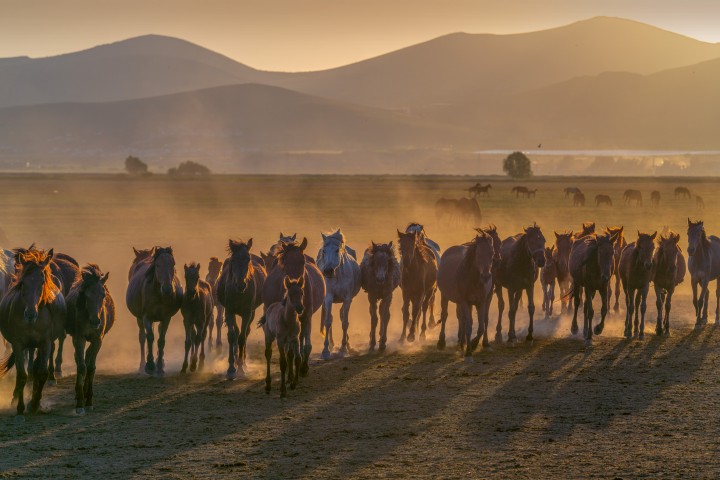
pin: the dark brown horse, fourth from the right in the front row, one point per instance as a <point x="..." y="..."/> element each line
<point x="591" y="266"/>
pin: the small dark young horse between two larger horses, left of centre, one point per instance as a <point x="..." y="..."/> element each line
<point x="197" y="311"/>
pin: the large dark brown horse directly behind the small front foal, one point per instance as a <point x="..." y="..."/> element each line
<point x="291" y="261"/>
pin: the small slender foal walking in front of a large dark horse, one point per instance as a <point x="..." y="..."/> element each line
<point x="281" y="324"/>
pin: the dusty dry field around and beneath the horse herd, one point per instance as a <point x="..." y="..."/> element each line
<point x="553" y="409"/>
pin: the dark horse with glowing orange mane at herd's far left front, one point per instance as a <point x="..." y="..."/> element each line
<point x="32" y="315"/>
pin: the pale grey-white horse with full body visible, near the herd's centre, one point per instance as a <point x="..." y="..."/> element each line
<point x="341" y="270"/>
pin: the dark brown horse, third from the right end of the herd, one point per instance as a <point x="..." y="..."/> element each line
<point x="636" y="272"/>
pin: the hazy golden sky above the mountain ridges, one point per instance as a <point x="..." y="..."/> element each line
<point x="314" y="34"/>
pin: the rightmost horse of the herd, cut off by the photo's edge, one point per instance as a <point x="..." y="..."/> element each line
<point x="704" y="267"/>
